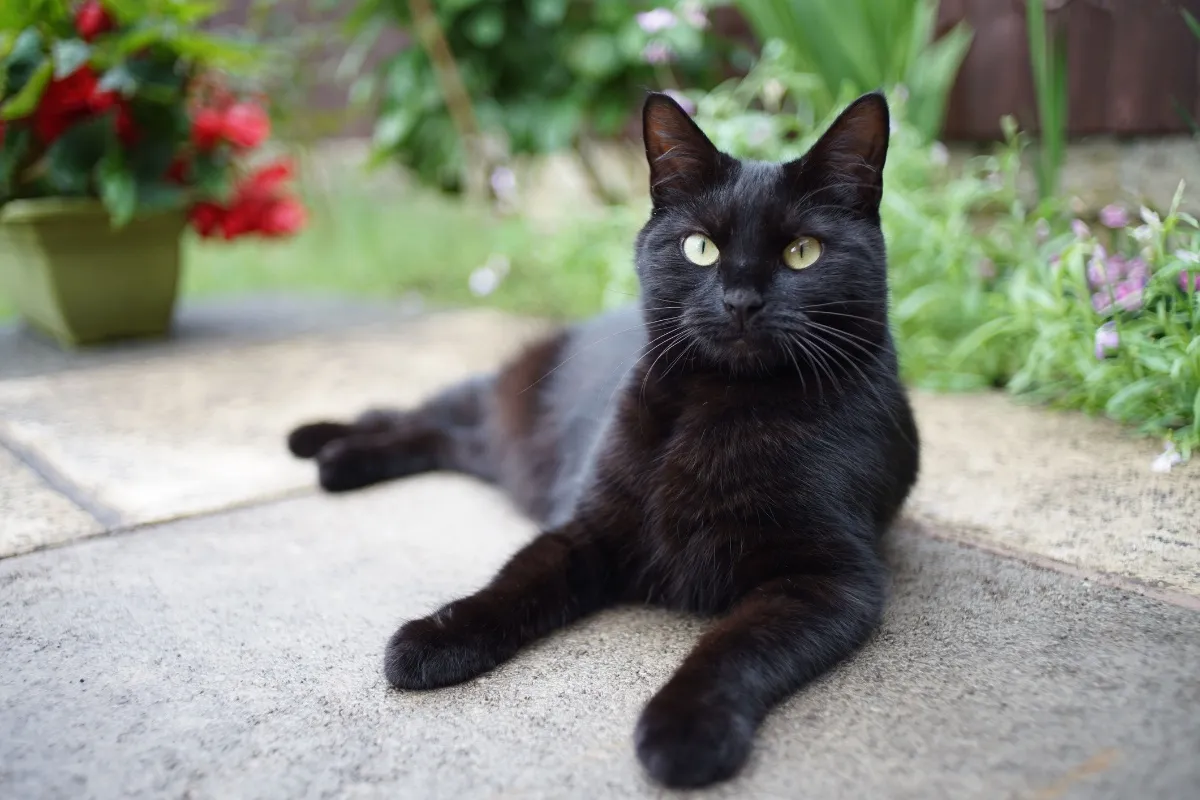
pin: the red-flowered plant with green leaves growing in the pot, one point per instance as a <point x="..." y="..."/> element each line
<point x="121" y="101"/>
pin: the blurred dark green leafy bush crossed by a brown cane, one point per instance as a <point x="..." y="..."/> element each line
<point x="541" y="74"/>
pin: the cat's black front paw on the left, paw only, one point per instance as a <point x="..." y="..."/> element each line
<point x="427" y="654"/>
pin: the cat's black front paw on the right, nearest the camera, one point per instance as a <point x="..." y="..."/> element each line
<point x="687" y="742"/>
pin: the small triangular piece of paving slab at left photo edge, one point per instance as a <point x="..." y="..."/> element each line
<point x="32" y="514"/>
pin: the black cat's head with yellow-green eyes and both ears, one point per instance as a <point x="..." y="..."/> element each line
<point x="766" y="267"/>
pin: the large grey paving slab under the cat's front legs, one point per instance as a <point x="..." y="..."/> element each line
<point x="239" y="657"/>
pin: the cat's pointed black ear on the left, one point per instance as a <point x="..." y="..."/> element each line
<point x="682" y="159"/>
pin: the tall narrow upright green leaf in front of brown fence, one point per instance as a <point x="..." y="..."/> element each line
<point x="1048" y="59"/>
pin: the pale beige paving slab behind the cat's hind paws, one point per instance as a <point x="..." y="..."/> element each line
<point x="201" y="430"/>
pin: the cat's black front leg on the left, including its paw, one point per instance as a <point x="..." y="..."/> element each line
<point x="557" y="579"/>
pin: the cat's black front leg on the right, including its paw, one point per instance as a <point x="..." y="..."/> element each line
<point x="700" y="727"/>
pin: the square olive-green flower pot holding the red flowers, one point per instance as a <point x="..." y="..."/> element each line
<point x="76" y="279"/>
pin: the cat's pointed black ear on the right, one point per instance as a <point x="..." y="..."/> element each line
<point x="848" y="161"/>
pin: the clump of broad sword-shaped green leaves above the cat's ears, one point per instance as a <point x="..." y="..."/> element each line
<point x="857" y="46"/>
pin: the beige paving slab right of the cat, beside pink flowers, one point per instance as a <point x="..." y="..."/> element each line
<point x="1059" y="485"/>
